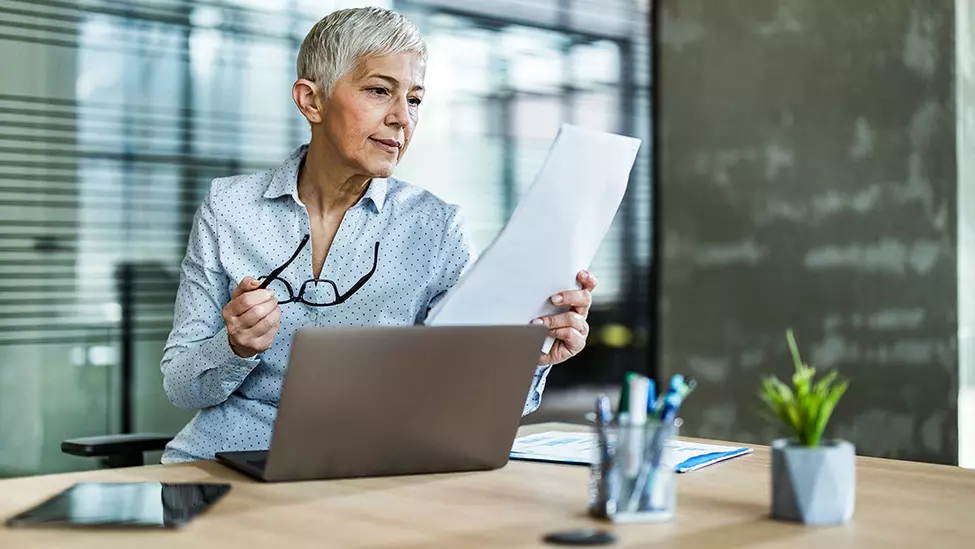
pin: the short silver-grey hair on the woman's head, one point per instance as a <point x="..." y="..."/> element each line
<point x="336" y="44"/>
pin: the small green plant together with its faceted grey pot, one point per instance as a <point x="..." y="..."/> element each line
<point x="813" y="479"/>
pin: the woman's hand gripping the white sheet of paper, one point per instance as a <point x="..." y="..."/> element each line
<point x="570" y="328"/>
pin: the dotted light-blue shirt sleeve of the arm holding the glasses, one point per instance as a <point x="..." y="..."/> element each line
<point x="199" y="368"/>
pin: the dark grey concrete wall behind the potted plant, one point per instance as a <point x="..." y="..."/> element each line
<point x="808" y="180"/>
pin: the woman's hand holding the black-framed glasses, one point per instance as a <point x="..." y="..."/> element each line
<point x="252" y="318"/>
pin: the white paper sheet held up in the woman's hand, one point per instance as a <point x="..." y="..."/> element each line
<point x="552" y="235"/>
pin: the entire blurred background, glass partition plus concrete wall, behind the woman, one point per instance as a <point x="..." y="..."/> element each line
<point x="805" y="164"/>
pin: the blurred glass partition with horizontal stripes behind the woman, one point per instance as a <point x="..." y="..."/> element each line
<point x="115" y="116"/>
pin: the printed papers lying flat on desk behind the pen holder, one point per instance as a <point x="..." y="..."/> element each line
<point x="582" y="448"/>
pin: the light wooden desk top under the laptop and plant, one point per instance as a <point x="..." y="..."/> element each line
<point x="899" y="504"/>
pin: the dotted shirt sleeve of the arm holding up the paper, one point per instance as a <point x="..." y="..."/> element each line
<point x="456" y="255"/>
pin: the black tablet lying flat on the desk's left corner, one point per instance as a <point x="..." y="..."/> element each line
<point x="124" y="504"/>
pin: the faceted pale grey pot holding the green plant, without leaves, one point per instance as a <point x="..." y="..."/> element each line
<point x="815" y="486"/>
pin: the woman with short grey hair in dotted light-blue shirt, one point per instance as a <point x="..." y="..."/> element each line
<point x="335" y="240"/>
